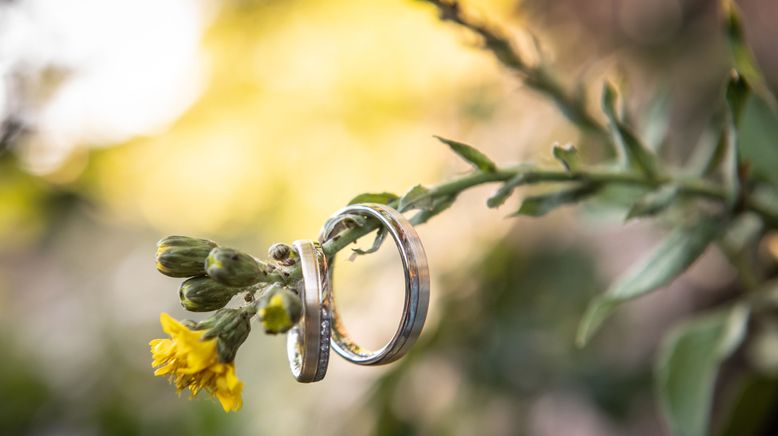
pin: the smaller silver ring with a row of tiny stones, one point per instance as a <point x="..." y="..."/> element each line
<point x="308" y="342"/>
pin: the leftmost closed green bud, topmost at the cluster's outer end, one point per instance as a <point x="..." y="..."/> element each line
<point x="182" y="256"/>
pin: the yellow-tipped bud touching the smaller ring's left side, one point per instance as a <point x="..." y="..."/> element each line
<point x="279" y="309"/>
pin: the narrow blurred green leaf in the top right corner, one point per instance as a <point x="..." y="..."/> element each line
<point x="742" y="57"/>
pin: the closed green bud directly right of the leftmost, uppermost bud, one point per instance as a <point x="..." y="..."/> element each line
<point x="233" y="268"/>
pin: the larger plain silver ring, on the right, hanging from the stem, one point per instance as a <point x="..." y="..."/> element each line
<point x="417" y="286"/>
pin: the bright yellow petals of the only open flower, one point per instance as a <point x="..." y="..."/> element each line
<point x="193" y="363"/>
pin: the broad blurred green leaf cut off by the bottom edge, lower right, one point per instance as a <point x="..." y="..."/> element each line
<point x="688" y="364"/>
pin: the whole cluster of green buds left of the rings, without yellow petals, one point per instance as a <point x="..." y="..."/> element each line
<point x="215" y="275"/>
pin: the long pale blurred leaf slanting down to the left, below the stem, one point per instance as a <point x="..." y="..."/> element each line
<point x="666" y="261"/>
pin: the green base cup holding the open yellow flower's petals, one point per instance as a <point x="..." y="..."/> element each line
<point x="230" y="327"/>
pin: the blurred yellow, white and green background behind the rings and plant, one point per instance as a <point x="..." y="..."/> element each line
<point x="249" y="122"/>
